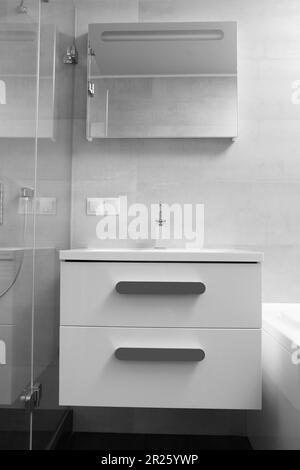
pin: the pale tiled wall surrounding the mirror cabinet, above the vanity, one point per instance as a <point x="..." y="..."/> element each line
<point x="250" y="188"/>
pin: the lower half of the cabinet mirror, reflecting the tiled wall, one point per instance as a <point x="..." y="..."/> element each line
<point x="163" y="107"/>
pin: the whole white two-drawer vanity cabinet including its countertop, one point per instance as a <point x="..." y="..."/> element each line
<point x="169" y="329"/>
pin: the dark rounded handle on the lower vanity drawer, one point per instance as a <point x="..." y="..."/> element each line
<point x="159" y="354"/>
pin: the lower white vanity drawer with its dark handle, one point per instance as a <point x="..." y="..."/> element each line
<point x="160" y="368"/>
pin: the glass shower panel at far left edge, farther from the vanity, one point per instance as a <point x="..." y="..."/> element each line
<point x="19" y="43"/>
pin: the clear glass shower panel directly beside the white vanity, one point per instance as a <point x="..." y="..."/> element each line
<point x="53" y="191"/>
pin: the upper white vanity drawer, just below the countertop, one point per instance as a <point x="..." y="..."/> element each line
<point x="210" y="295"/>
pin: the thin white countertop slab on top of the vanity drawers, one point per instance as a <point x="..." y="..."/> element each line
<point x="168" y="255"/>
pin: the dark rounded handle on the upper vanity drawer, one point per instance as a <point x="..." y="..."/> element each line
<point x="160" y="288"/>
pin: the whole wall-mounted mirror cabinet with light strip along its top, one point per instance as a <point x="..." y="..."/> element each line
<point x="162" y="80"/>
